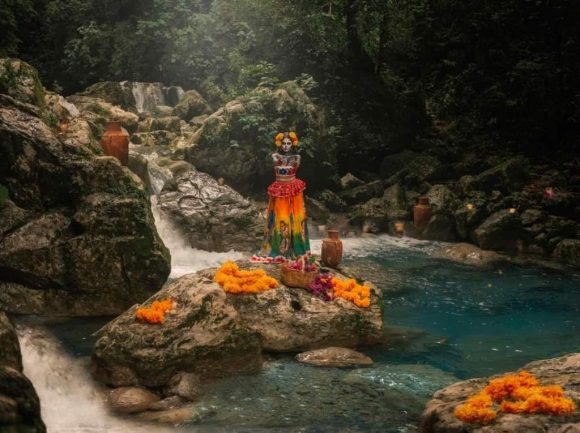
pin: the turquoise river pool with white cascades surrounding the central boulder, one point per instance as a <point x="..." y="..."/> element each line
<point x="445" y="322"/>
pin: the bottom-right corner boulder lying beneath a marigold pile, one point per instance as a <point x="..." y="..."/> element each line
<point x="438" y="416"/>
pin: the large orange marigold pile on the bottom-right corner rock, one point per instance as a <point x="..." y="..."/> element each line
<point x="515" y="393"/>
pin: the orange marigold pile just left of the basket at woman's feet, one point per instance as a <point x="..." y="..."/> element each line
<point x="235" y="280"/>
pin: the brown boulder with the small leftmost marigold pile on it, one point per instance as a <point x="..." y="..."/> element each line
<point x="204" y="337"/>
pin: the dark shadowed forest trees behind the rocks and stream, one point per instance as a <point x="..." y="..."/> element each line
<point x="443" y="76"/>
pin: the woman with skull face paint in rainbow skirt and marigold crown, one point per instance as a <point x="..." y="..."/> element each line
<point x="286" y="230"/>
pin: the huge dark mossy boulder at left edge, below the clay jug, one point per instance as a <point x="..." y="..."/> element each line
<point x="82" y="239"/>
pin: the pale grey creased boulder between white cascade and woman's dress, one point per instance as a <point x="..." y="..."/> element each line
<point x="212" y="216"/>
